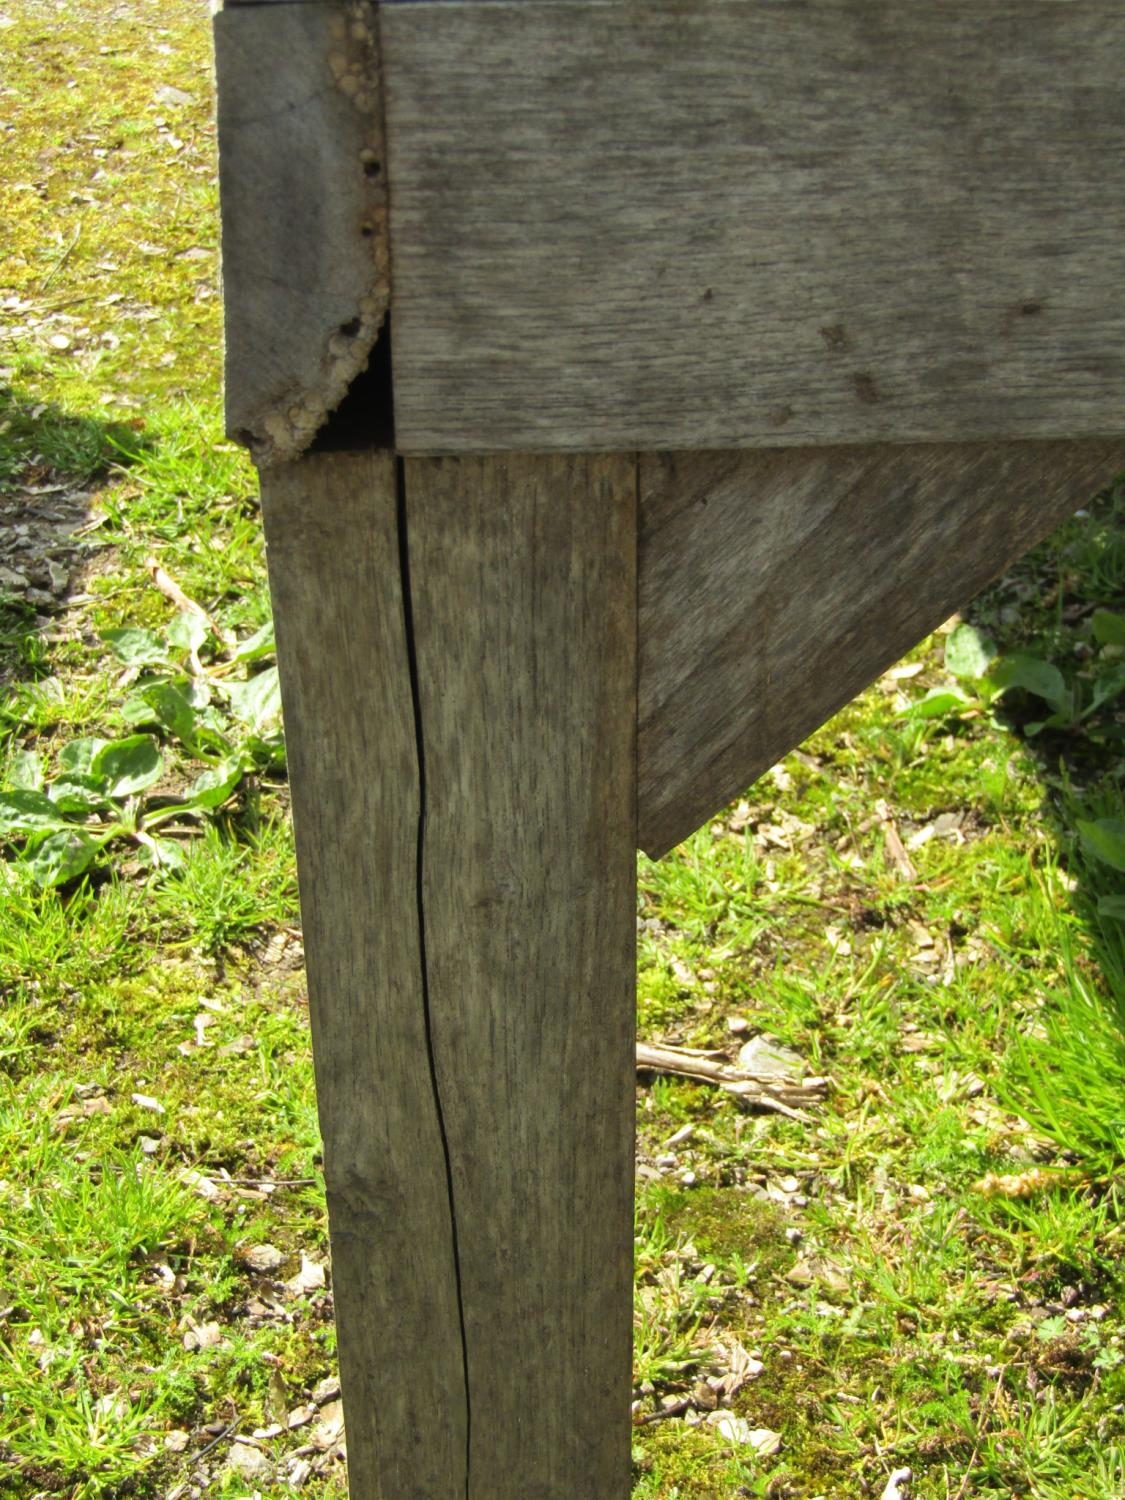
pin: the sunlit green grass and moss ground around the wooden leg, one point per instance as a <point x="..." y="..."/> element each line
<point x="928" y="1271"/>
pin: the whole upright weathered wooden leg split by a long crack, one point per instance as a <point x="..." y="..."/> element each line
<point x="458" y="646"/>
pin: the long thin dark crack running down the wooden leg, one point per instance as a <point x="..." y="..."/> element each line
<point x="421" y="743"/>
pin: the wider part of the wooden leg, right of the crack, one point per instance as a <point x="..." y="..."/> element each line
<point x="523" y="584"/>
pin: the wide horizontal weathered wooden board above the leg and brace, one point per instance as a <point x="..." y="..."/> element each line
<point x="755" y="223"/>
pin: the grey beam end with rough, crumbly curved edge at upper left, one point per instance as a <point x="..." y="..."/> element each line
<point x="304" y="215"/>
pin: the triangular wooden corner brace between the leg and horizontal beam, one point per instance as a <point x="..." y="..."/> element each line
<point x="773" y="587"/>
